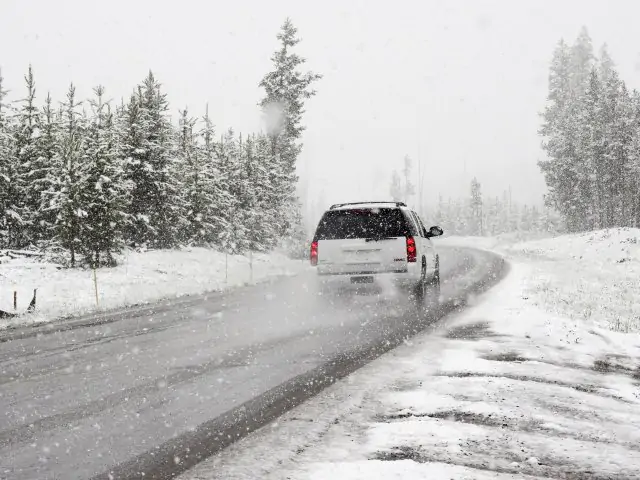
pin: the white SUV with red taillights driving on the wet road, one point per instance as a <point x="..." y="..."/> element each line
<point x="371" y="239"/>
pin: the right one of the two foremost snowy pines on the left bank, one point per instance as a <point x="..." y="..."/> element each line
<point x="105" y="193"/>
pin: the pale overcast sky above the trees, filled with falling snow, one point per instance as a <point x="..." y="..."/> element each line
<point x="456" y="84"/>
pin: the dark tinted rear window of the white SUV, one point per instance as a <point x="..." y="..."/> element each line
<point x="362" y="223"/>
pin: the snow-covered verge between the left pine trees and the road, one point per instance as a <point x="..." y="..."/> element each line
<point x="139" y="278"/>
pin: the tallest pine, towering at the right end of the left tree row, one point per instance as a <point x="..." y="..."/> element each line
<point x="286" y="89"/>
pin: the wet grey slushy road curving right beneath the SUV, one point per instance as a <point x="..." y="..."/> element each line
<point x="155" y="391"/>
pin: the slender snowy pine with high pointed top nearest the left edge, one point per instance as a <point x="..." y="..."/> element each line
<point x="30" y="174"/>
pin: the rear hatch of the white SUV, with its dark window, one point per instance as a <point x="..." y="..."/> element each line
<point x="361" y="241"/>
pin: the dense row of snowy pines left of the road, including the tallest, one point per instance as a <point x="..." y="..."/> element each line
<point x="90" y="177"/>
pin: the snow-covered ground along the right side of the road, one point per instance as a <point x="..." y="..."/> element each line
<point x="522" y="385"/>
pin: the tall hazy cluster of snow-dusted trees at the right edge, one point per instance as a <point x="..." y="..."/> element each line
<point x="591" y="134"/>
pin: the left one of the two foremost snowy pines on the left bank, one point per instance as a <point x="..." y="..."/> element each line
<point x="66" y="194"/>
